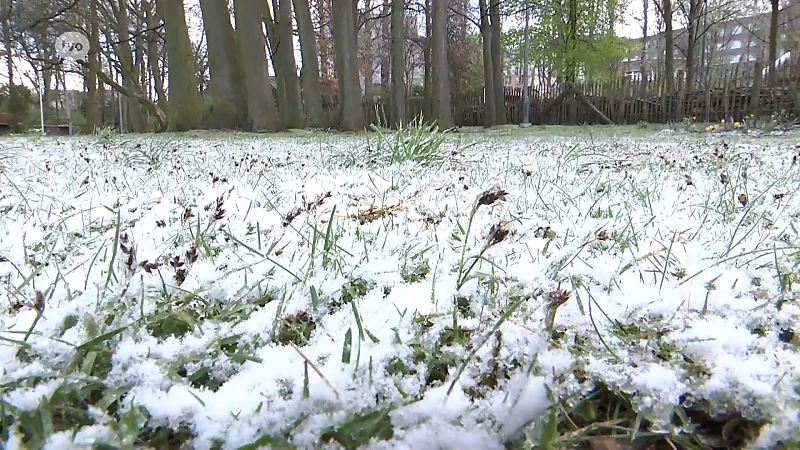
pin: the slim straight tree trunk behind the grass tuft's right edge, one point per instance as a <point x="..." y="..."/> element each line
<point x="441" y="72"/>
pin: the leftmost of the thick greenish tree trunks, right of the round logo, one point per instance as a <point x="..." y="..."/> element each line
<point x="184" y="98"/>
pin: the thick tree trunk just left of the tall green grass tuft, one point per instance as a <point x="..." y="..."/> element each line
<point x="351" y="112"/>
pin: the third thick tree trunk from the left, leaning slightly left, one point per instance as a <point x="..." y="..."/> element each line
<point x="261" y="108"/>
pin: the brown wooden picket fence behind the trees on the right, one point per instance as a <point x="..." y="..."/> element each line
<point x="719" y="94"/>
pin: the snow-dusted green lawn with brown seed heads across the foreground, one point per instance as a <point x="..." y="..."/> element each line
<point x="245" y="291"/>
